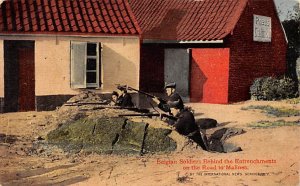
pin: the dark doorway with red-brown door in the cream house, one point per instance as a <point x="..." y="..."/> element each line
<point x="19" y="79"/>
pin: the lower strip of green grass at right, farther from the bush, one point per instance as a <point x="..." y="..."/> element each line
<point x="269" y="124"/>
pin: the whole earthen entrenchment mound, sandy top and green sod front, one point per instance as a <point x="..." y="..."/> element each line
<point x="93" y="128"/>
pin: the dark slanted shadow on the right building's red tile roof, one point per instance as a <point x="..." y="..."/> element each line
<point x="169" y="22"/>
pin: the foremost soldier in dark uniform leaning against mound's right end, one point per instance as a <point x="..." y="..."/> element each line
<point x="186" y="125"/>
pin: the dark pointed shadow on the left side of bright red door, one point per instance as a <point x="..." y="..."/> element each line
<point x="198" y="79"/>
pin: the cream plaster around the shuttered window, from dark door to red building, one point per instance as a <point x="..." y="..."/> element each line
<point x="120" y="64"/>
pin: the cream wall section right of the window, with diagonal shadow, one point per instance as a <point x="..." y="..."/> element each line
<point x="121" y="62"/>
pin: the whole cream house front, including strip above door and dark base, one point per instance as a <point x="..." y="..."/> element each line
<point x="120" y="64"/>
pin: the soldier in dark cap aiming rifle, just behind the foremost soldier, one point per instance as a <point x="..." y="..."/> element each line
<point x="173" y="98"/>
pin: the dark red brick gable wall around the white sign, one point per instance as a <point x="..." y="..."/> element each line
<point x="249" y="59"/>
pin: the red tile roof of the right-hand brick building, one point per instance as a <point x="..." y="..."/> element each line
<point x="187" y="19"/>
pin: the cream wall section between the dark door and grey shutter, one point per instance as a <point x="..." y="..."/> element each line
<point x="52" y="67"/>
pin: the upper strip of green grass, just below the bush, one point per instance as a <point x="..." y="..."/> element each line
<point x="278" y="112"/>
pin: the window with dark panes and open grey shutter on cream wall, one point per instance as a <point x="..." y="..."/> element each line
<point x="85" y="65"/>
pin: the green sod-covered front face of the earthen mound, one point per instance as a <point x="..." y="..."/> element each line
<point x="111" y="136"/>
